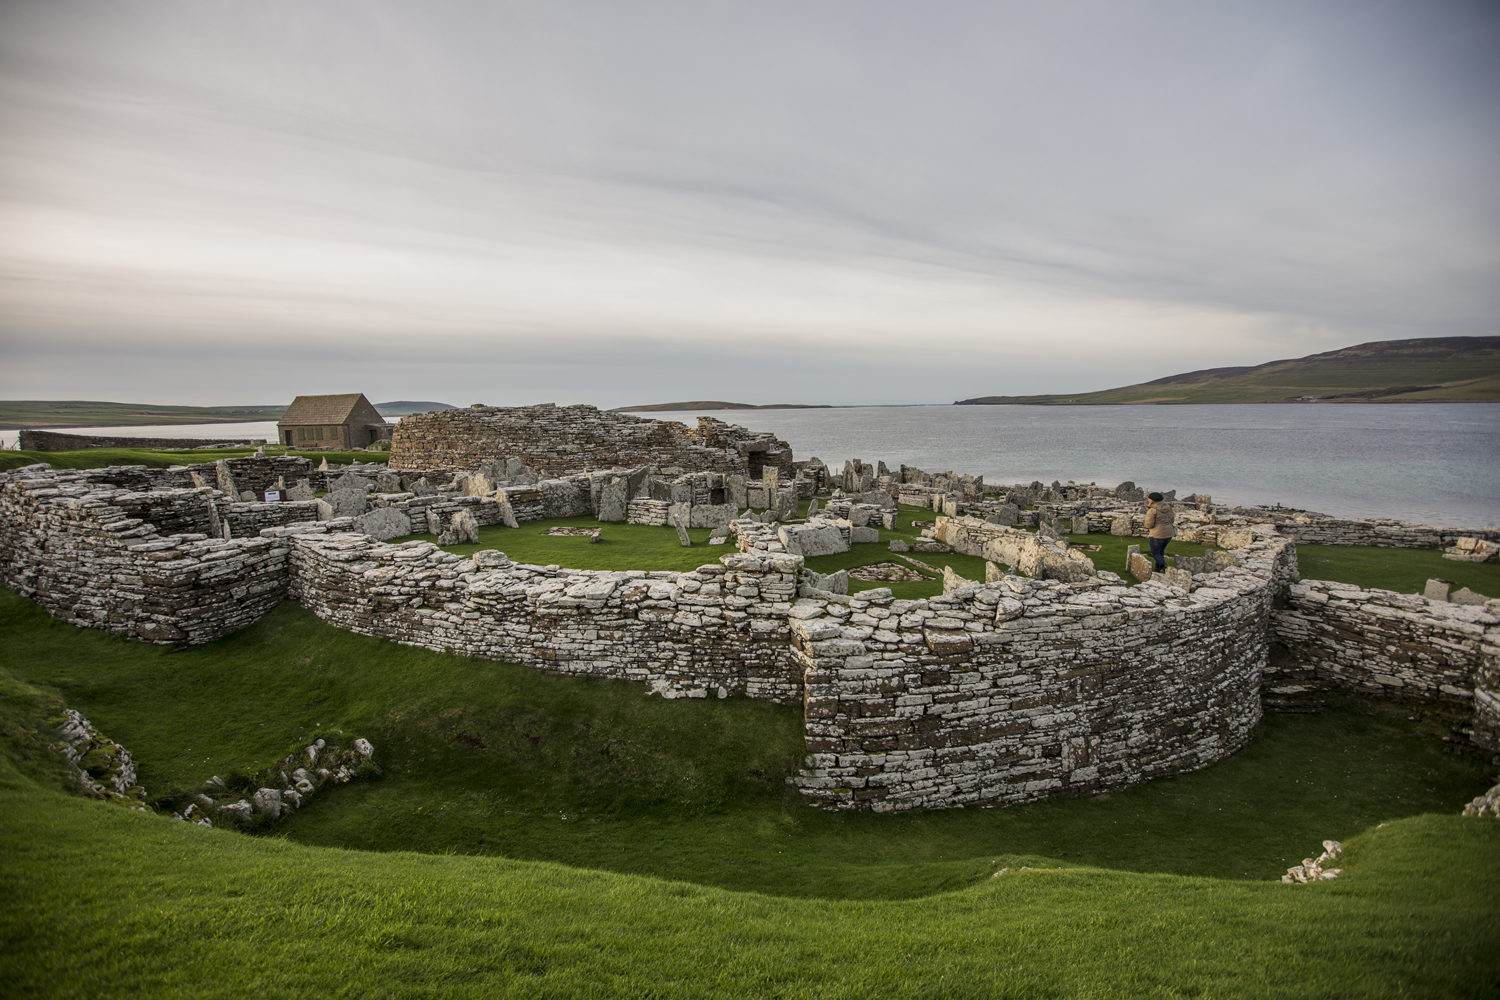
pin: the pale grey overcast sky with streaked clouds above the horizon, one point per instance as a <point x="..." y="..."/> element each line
<point x="619" y="203"/>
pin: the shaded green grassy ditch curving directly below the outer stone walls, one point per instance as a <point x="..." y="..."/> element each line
<point x="497" y="759"/>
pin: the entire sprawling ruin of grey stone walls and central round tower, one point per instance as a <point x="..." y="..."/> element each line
<point x="1051" y="678"/>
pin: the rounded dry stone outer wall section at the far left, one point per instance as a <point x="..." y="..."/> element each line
<point x="83" y="558"/>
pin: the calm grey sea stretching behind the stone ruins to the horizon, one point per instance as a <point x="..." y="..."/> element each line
<point x="1427" y="463"/>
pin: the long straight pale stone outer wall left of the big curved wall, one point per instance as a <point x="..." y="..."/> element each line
<point x="718" y="630"/>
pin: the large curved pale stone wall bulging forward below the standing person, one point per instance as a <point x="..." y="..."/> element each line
<point x="1025" y="689"/>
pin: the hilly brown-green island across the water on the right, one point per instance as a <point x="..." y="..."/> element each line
<point x="1429" y="371"/>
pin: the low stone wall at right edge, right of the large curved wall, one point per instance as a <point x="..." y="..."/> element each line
<point x="1381" y="642"/>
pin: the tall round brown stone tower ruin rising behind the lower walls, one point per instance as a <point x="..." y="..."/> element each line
<point x="562" y="440"/>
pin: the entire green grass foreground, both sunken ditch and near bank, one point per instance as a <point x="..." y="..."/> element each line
<point x="538" y="836"/>
